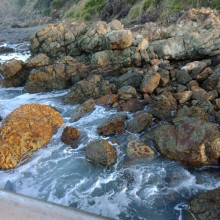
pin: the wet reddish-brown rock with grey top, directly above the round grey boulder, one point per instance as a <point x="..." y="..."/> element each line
<point x="113" y="125"/>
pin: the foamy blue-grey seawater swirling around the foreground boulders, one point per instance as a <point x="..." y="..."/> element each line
<point x="151" y="190"/>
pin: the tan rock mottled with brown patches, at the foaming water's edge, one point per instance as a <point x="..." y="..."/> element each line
<point x="136" y="149"/>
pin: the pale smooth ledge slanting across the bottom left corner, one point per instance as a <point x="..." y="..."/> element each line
<point x="18" y="207"/>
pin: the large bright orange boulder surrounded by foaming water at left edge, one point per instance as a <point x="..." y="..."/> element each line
<point x="25" y="130"/>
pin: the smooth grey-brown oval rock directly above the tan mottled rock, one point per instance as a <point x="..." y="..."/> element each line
<point x="140" y="123"/>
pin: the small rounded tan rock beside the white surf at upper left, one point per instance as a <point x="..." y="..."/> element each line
<point x="37" y="61"/>
